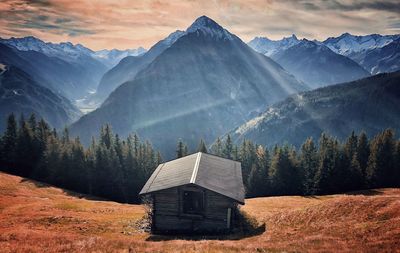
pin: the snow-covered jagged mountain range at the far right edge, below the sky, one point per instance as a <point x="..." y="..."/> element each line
<point x="347" y="44"/>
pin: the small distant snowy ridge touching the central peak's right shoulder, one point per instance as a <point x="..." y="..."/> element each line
<point x="269" y="47"/>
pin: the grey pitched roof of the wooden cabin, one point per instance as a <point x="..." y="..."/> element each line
<point x="211" y="172"/>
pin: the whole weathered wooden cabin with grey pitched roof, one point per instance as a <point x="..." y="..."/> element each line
<point x="196" y="193"/>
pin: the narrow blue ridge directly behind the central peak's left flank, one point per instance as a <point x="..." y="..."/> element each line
<point x="129" y="66"/>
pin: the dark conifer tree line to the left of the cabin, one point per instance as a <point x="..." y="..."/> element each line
<point x="110" y="167"/>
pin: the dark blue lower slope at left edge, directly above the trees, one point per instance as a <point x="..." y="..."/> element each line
<point x="19" y="93"/>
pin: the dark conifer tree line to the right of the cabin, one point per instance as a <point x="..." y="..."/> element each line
<point x="326" y="167"/>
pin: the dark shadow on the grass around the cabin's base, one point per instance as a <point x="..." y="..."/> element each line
<point x="246" y="226"/>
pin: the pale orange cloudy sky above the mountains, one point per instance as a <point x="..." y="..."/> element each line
<point x="107" y="24"/>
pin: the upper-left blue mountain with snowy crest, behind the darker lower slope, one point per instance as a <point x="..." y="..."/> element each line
<point x="72" y="75"/>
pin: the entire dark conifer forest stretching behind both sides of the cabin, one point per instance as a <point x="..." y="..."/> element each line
<point x="116" y="169"/>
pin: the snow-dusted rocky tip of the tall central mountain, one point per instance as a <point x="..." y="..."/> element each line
<point x="209" y="27"/>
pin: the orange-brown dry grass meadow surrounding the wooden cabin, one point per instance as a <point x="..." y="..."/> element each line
<point x="36" y="218"/>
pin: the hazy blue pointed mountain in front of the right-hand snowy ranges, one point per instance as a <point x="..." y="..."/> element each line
<point x="317" y="65"/>
